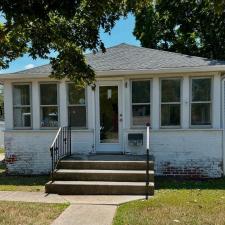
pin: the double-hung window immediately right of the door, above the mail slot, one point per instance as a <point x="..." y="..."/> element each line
<point x="141" y="102"/>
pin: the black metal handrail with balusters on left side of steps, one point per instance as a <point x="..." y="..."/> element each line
<point x="61" y="146"/>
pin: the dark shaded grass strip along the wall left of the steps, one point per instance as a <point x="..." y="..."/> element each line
<point x="17" y="180"/>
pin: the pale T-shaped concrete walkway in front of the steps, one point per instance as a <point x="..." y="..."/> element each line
<point x="83" y="209"/>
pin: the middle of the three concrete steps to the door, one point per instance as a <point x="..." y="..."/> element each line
<point x="102" y="175"/>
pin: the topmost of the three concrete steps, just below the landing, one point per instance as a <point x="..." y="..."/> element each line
<point x="104" y="165"/>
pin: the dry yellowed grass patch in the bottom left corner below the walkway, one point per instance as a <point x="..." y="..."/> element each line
<point x="29" y="213"/>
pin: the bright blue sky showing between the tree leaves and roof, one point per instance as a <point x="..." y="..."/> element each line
<point x="121" y="33"/>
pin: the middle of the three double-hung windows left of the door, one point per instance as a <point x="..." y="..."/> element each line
<point x="49" y="105"/>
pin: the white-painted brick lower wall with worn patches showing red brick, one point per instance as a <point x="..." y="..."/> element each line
<point x="195" y="153"/>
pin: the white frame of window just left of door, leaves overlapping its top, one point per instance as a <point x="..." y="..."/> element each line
<point x="74" y="105"/>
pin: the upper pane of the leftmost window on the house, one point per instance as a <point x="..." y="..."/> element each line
<point x="21" y="94"/>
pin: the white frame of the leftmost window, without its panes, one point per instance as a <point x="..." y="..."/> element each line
<point x="23" y="106"/>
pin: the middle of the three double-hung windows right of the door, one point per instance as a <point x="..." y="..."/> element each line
<point x="170" y="102"/>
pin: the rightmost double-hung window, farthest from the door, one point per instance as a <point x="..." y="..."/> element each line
<point x="201" y="101"/>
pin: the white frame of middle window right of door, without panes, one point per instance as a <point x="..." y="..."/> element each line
<point x="170" y="103"/>
